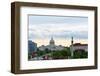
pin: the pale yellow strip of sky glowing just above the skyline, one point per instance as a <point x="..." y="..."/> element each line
<point x="64" y="42"/>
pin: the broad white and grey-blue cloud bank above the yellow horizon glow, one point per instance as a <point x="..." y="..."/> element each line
<point x="58" y="31"/>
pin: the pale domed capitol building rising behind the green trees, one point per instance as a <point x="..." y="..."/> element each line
<point x="51" y="46"/>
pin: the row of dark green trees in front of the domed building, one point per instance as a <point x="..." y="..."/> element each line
<point x="64" y="54"/>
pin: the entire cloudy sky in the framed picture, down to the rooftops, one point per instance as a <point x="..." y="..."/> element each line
<point x="41" y="28"/>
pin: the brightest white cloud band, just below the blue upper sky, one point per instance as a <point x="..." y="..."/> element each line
<point x="58" y="27"/>
